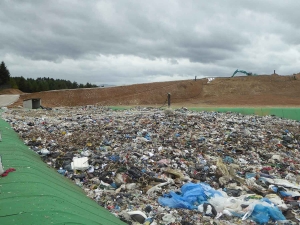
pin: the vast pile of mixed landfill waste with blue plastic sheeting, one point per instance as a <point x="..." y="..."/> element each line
<point x="163" y="166"/>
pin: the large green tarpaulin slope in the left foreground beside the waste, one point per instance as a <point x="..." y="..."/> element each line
<point x="37" y="194"/>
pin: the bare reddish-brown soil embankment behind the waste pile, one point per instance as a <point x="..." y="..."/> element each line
<point x="262" y="90"/>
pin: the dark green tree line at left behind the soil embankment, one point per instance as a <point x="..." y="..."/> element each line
<point x="30" y="85"/>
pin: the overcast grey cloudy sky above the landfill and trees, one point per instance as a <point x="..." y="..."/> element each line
<point x="133" y="41"/>
